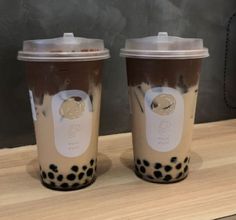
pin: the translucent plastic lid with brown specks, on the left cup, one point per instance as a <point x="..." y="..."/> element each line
<point x="66" y="48"/>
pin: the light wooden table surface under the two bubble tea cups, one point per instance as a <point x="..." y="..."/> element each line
<point x="208" y="193"/>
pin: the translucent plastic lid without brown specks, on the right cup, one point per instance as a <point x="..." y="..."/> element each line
<point x="163" y="46"/>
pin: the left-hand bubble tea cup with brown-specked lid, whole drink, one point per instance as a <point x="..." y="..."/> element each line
<point x="64" y="76"/>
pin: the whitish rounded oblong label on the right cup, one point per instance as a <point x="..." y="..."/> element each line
<point x="164" y="112"/>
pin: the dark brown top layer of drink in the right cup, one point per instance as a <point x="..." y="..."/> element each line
<point x="171" y="73"/>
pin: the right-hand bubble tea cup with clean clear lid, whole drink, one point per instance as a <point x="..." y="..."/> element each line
<point x="163" y="75"/>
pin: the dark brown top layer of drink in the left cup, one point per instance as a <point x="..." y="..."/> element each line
<point x="52" y="77"/>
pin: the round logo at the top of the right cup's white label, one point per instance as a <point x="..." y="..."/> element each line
<point x="163" y="104"/>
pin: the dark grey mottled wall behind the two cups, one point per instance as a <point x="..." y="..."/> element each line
<point x="113" y="21"/>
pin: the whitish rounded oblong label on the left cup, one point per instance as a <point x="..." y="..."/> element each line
<point x="72" y="119"/>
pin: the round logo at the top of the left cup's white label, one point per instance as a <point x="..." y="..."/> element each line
<point x="72" y="109"/>
